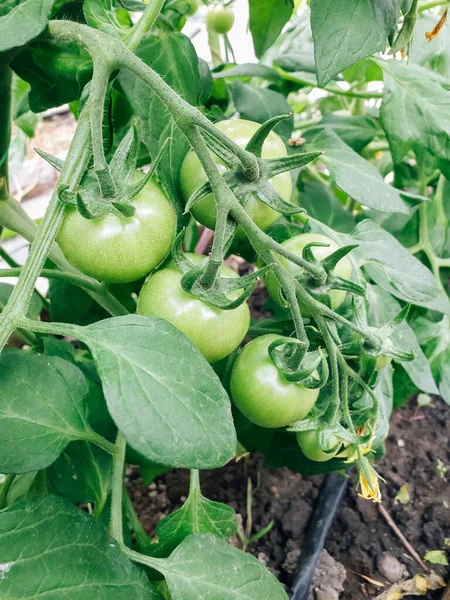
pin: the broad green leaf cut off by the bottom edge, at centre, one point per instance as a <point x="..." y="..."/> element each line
<point x="206" y="567"/>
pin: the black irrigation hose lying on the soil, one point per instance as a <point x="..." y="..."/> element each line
<point x="329" y="499"/>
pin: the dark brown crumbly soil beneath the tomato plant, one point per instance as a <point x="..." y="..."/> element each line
<point x="359" y="537"/>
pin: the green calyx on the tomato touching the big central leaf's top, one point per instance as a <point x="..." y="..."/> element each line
<point x="218" y="293"/>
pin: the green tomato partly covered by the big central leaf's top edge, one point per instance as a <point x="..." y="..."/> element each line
<point x="215" y="332"/>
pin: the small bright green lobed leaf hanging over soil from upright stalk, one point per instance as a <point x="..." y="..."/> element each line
<point x="197" y="515"/>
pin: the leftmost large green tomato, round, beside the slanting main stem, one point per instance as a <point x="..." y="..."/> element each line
<point x="120" y="249"/>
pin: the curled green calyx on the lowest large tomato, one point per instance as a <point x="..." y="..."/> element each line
<point x="297" y="365"/>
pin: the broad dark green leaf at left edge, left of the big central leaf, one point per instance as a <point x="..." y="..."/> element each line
<point x="42" y="409"/>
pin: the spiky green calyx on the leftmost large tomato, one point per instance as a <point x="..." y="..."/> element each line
<point x="89" y="196"/>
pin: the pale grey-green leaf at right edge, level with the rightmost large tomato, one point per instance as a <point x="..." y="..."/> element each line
<point x="392" y="267"/>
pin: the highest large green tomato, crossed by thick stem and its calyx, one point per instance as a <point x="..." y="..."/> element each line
<point x="193" y="176"/>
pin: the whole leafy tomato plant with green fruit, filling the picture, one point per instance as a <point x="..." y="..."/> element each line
<point x="337" y="201"/>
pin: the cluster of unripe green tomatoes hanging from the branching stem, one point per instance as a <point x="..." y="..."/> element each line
<point x="120" y="249"/>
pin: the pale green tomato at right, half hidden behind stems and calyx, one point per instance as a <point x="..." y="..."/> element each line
<point x="296" y="245"/>
